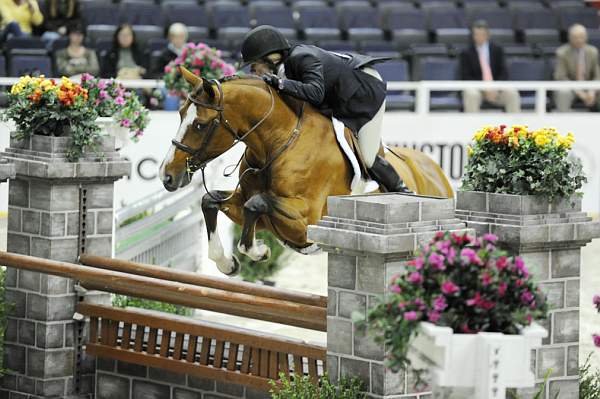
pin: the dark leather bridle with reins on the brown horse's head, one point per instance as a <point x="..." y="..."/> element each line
<point x="192" y="162"/>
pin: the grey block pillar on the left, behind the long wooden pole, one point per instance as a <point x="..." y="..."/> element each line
<point x="56" y="209"/>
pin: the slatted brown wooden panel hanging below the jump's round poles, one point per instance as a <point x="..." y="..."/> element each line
<point x="198" y="348"/>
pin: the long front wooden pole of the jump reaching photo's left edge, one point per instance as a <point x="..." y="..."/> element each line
<point x="218" y="300"/>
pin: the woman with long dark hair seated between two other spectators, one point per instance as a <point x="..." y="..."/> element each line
<point x="125" y="60"/>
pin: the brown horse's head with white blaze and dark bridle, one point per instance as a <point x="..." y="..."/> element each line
<point x="201" y="136"/>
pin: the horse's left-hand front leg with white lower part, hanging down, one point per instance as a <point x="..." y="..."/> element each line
<point x="212" y="203"/>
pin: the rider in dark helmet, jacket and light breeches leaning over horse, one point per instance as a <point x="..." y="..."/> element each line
<point x="339" y="85"/>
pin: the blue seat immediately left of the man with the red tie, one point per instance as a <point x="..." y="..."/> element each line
<point x="440" y="68"/>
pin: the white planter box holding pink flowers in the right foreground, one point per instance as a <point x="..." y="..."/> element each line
<point x="476" y="366"/>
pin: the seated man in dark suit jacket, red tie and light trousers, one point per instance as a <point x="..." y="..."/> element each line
<point x="484" y="60"/>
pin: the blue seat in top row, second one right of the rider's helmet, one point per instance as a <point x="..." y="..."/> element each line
<point x="360" y="21"/>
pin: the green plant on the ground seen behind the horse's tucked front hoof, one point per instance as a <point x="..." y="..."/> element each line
<point x="251" y="270"/>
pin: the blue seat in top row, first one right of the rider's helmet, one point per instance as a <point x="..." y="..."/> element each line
<point x="317" y="21"/>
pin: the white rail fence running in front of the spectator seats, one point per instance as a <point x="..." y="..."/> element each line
<point x="424" y="88"/>
